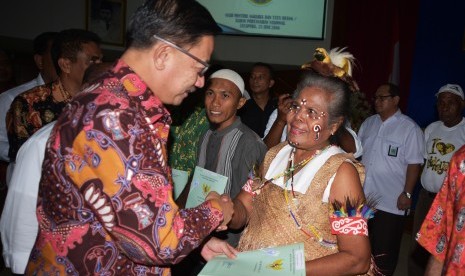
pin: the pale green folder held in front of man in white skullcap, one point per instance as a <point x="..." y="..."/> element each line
<point x="203" y="182"/>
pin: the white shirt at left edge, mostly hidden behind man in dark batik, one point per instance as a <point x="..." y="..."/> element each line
<point x="6" y="98"/>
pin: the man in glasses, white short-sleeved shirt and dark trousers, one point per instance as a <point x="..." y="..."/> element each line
<point x="393" y="146"/>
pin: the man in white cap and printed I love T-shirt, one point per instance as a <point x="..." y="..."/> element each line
<point x="443" y="138"/>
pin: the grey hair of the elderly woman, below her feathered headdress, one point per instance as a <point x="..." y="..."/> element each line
<point x="338" y="90"/>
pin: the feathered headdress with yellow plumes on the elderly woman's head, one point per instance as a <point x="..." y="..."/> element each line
<point x="337" y="63"/>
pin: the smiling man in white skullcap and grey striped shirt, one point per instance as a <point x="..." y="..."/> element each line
<point x="229" y="147"/>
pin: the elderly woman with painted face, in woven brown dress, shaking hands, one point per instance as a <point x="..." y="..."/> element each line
<point x="310" y="191"/>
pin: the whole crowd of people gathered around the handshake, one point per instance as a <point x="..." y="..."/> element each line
<point x="91" y="145"/>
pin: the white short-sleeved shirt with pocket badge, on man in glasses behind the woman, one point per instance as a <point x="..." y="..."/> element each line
<point x="388" y="148"/>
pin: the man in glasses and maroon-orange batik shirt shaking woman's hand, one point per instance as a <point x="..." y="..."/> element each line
<point x="105" y="202"/>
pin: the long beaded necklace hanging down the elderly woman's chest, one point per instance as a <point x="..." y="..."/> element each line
<point x="313" y="233"/>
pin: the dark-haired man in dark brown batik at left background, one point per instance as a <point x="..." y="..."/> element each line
<point x="73" y="51"/>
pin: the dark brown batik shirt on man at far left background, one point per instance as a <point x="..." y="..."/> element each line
<point x="29" y="112"/>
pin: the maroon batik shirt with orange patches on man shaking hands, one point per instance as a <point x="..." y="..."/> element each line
<point x="105" y="201"/>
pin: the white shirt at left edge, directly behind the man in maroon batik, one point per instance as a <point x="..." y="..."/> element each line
<point x="18" y="224"/>
